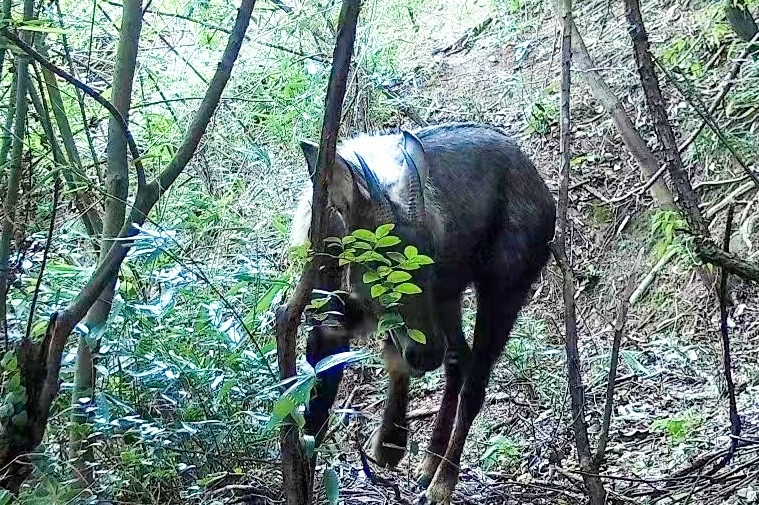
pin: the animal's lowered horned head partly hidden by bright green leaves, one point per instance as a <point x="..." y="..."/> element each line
<point x="378" y="180"/>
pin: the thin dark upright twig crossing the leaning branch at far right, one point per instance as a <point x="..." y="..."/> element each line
<point x="735" y="420"/>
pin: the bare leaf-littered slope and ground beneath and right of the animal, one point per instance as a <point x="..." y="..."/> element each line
<point x="670" y="411"/>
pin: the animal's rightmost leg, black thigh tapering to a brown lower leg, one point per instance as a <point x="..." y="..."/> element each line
<point x="498" y="307"/>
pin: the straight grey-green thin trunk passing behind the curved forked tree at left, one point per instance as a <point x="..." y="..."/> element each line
<point x="117" y="189"/>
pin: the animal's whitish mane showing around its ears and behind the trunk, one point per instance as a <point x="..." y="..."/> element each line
<point x="384" y="157"/>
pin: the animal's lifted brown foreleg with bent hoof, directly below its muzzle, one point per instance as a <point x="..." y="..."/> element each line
<point x="389" y="441"/>
